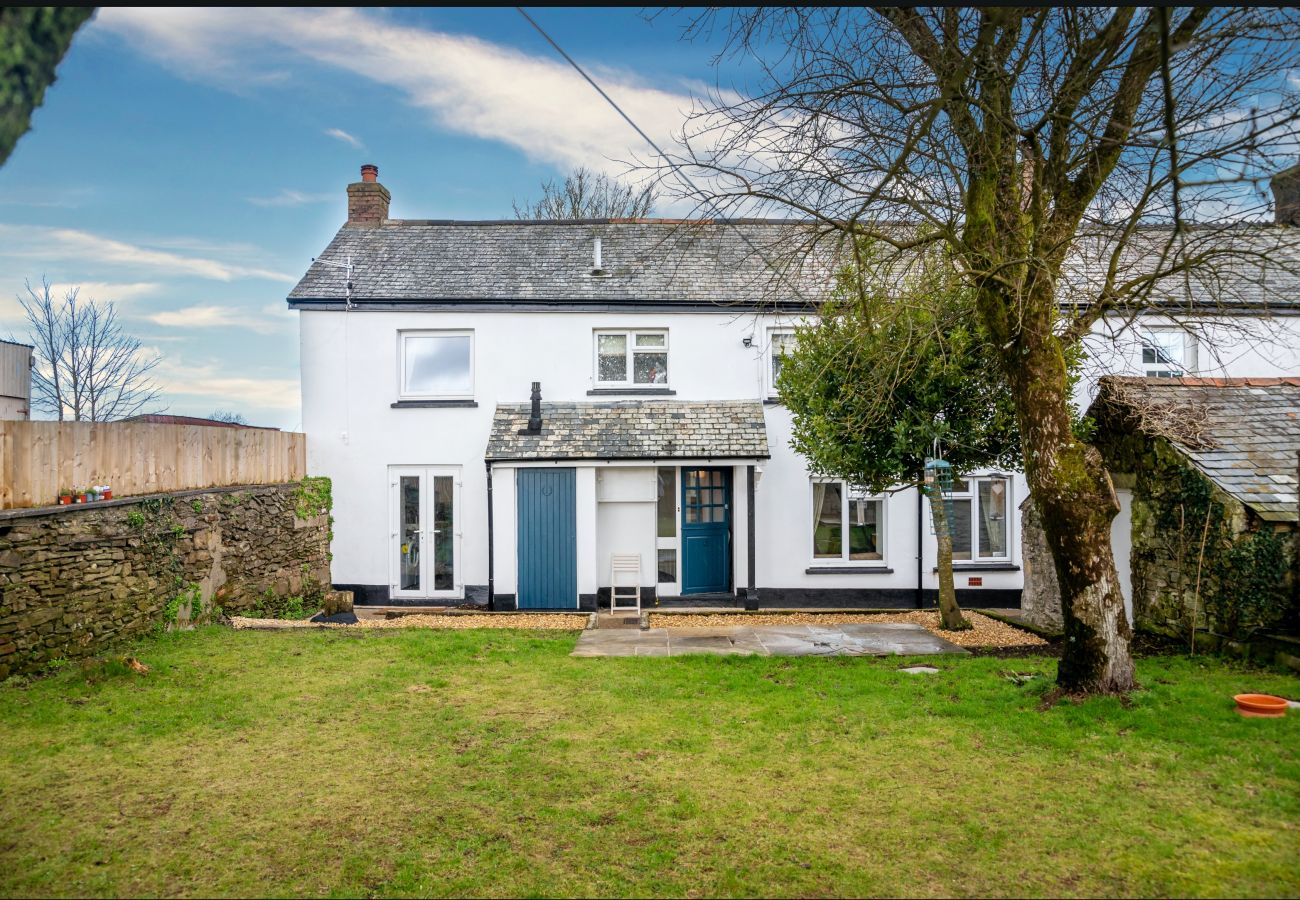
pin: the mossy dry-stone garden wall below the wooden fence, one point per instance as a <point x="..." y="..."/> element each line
<point x="76" y="579"/>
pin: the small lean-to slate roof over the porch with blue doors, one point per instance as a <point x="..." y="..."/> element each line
<point x="632" y="430"/>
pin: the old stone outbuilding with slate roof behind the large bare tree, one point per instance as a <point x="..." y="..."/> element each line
<point x="1207" y="477"/>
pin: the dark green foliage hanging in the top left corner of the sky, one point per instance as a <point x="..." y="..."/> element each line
<point x="33" y="41"/>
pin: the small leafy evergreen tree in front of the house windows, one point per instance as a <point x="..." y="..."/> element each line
<point x="886" y="374"/>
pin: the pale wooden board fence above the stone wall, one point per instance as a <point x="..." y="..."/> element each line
<point x="41" y="458"/>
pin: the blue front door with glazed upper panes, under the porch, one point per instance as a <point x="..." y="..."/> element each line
<point x="705" y="531"/>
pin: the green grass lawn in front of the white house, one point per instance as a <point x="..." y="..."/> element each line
<point x="489" y="763"/>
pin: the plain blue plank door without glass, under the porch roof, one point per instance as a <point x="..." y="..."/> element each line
<point x="547" y="539"/>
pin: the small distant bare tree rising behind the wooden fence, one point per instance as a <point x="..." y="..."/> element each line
<point x="86" y="367"/>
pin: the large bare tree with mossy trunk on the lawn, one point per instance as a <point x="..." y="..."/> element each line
<point x="1080" y="165"/>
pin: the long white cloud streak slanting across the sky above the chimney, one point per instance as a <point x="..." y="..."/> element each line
<point x="535" y="103"/>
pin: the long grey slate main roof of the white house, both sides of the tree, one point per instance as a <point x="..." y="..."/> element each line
<point x="740" y="262"/>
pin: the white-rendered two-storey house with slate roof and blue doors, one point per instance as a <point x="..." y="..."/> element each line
<point x="505" y="406"/>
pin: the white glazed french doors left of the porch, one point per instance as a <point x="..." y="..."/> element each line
<point x="426" y="535"/>
